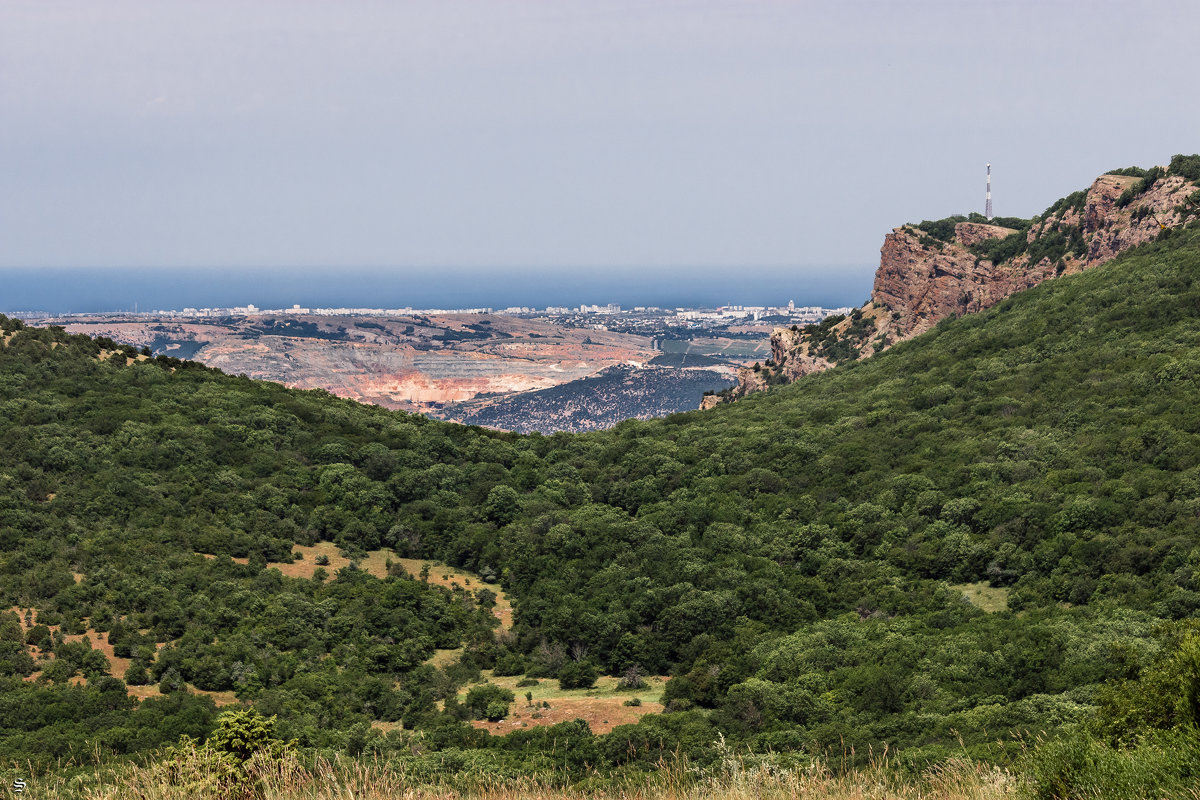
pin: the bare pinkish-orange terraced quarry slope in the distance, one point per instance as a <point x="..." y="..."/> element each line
<point x="406" y="363"/>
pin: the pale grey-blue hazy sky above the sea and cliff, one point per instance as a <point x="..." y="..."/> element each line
<point x="749" y="134"/>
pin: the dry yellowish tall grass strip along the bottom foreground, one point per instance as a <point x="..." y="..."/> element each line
<point x="196" y="777"/>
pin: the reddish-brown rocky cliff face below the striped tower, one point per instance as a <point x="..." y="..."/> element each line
<point x="923" y="279"/>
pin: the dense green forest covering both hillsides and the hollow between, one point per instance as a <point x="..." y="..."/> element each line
<point x="982" y="534"/>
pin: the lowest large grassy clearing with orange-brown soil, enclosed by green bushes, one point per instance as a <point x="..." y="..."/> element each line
<point x="602" y="707"/>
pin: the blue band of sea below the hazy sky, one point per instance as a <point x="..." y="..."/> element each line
<point x="63" y="291"/>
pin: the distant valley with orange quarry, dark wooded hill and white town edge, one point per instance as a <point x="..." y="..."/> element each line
<point x="525" y="372"/>
